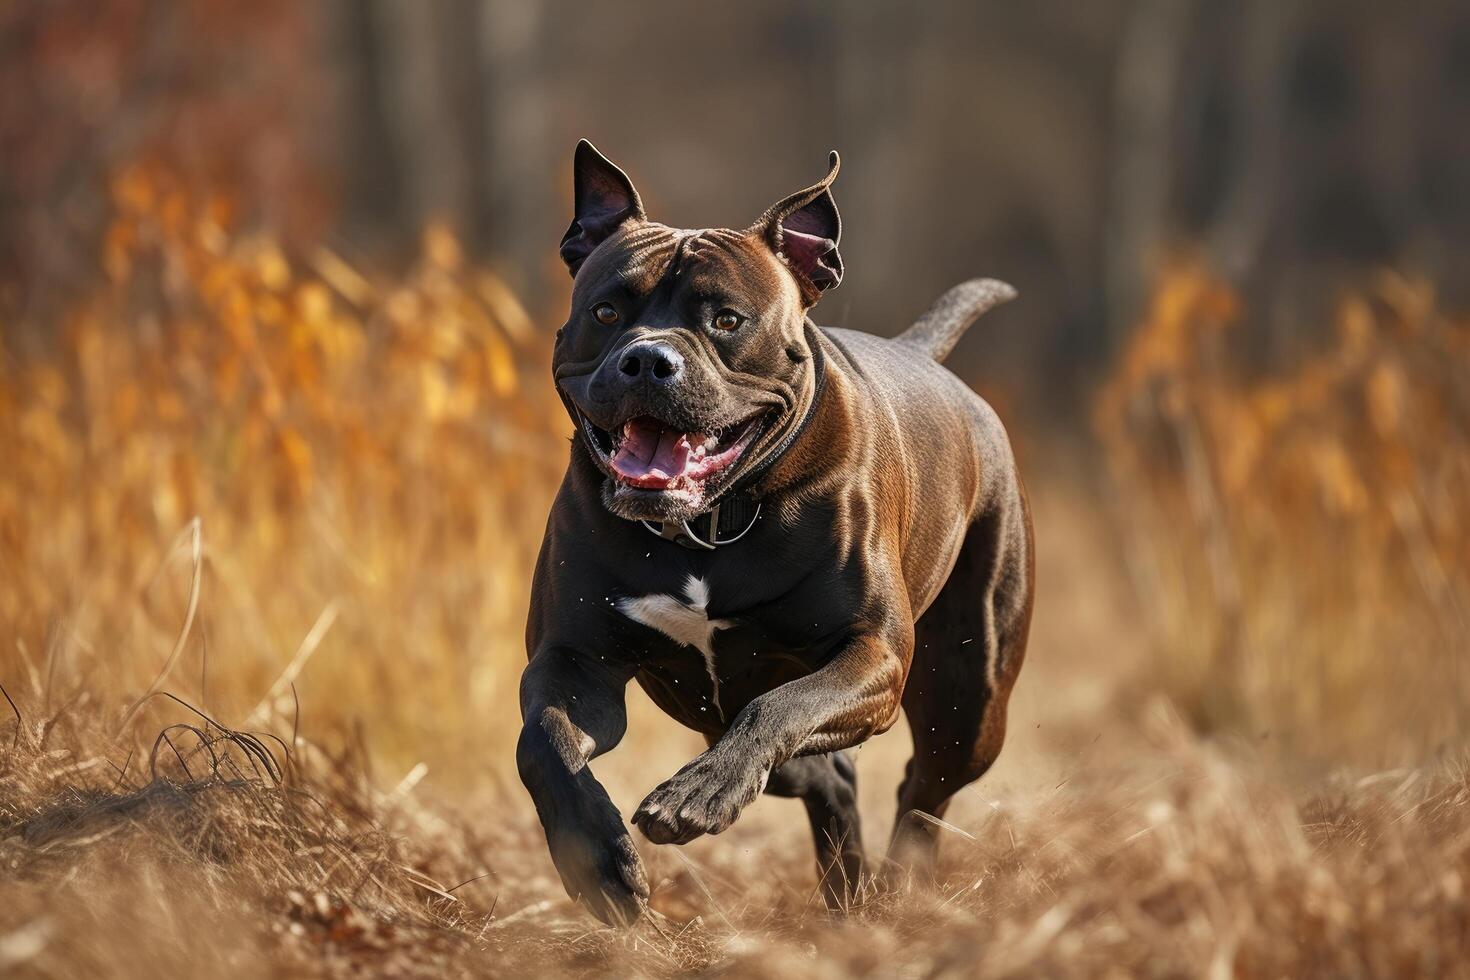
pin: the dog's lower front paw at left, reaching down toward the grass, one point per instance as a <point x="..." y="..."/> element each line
<point x="602" y="869"/>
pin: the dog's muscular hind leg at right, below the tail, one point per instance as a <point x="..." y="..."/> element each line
<point x="968" y="652"/>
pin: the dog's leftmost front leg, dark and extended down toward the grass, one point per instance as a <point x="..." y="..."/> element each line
<point x="573" y="710"/>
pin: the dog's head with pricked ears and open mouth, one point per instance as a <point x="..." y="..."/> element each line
<point x="686" y="361"/>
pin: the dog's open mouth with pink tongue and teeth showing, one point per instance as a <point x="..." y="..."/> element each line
<point x="648" y="453"/>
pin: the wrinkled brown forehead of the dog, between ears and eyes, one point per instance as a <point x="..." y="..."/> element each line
<point x="706" y="262"/>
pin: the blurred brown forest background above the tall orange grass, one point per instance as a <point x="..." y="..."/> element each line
<point x="1064" y="148"/>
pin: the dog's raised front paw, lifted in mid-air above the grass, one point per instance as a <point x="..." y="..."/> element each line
<point x="705" y="797"/>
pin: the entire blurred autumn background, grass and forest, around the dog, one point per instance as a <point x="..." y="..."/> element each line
<point x="277" y="440"/>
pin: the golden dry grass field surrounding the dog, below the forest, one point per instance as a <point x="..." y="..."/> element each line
<point x="267" y="527"/>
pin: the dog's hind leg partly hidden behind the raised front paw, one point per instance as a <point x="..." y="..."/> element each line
<point x="828" y="787"/>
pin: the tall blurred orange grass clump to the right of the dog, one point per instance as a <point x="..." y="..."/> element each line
<point x="1302" y="538"/>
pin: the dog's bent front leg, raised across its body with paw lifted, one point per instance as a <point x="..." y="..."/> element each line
<point x="849" y="700"/>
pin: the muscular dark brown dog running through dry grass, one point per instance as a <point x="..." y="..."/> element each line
<point x="783" y="533"/>
